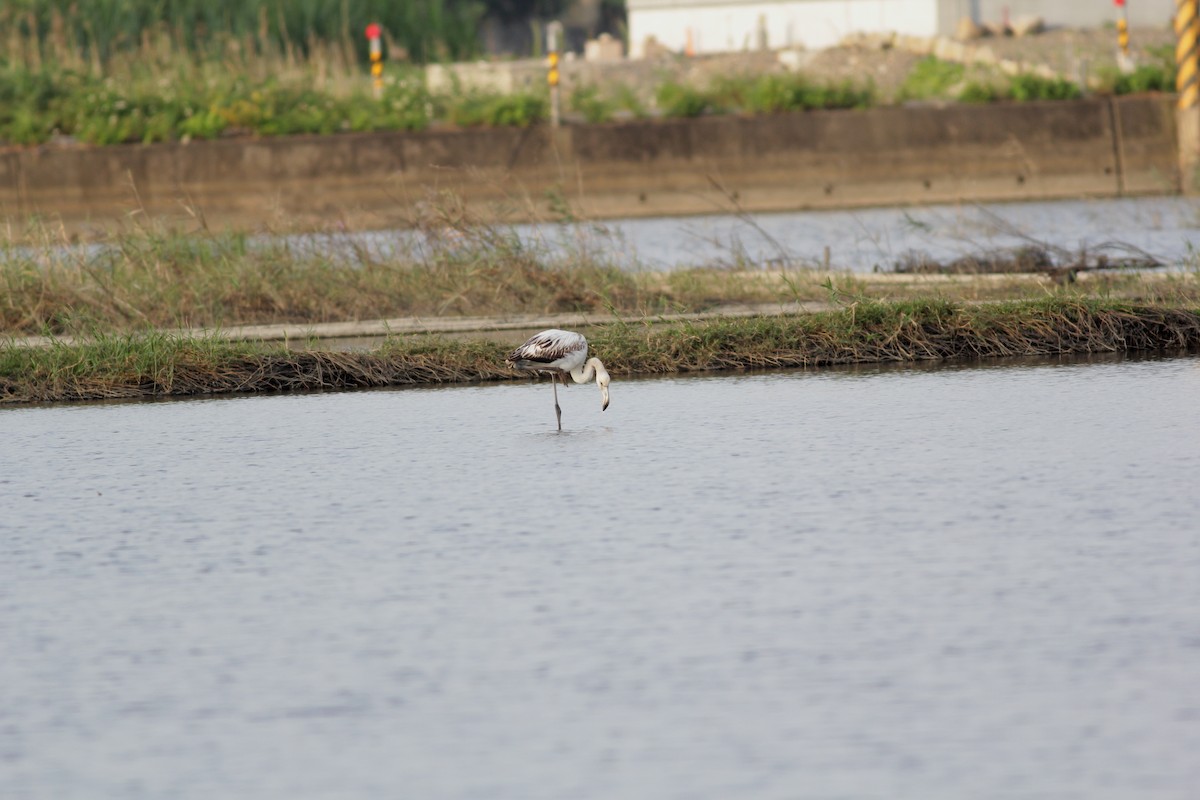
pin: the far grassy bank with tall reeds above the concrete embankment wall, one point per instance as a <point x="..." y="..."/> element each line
<point x="125" y="76"/>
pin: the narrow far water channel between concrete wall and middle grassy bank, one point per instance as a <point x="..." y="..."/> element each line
<point x="860" y="240"/>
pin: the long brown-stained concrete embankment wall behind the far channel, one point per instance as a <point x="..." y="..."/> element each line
<point x="886" y="157"/>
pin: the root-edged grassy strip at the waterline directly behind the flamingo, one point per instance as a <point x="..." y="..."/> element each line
<point x="160" y="365"/>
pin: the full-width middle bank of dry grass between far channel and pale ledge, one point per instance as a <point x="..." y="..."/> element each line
<point x="447" y="266"/>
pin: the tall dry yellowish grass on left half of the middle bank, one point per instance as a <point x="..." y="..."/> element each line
<point x="152" y="279"/>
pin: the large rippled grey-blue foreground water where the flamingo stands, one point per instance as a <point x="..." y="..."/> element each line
<point x="874" y="584"/>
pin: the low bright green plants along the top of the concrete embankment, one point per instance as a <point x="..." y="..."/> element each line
<point x="169" y="98"/>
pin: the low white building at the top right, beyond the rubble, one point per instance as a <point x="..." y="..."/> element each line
<point x="728" y="26"/>
